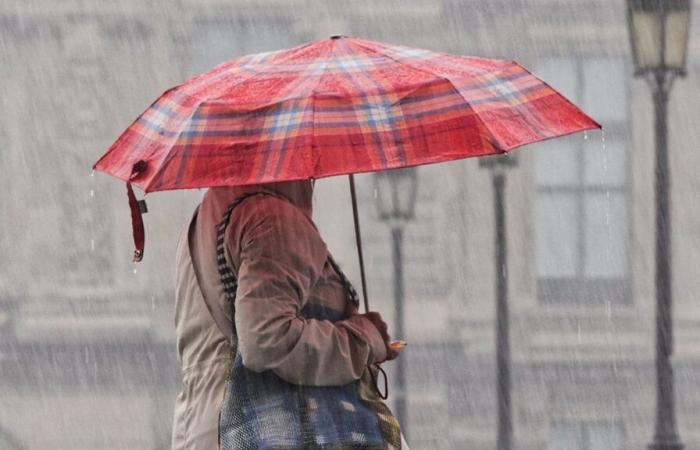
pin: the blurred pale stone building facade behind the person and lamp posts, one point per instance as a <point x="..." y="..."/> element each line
<point x="87" y="353"/>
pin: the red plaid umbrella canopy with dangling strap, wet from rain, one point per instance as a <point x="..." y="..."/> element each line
<point x="336" y="106"/>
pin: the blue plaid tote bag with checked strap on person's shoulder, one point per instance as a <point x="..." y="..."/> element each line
<point x="262" y="411"/>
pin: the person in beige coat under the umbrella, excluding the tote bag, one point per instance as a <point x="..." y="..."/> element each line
<point x="284" y="273"/>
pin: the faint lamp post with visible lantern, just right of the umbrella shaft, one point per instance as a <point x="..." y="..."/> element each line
<point x="396" y="200"/>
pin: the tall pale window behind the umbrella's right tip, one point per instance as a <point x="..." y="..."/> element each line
<point x="581" y="207"/>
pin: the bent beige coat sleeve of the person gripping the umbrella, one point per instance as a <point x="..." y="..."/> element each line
<point x="281" y="258"/>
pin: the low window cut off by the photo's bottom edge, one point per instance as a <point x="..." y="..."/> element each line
<point x="586" y="436"/>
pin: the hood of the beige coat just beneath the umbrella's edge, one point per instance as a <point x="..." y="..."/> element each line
<point x="300" y="193"/>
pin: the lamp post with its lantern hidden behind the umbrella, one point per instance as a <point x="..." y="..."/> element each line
<point x="498" y="165"/>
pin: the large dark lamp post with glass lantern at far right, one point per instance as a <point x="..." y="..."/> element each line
<point x="659" y="39"/>
